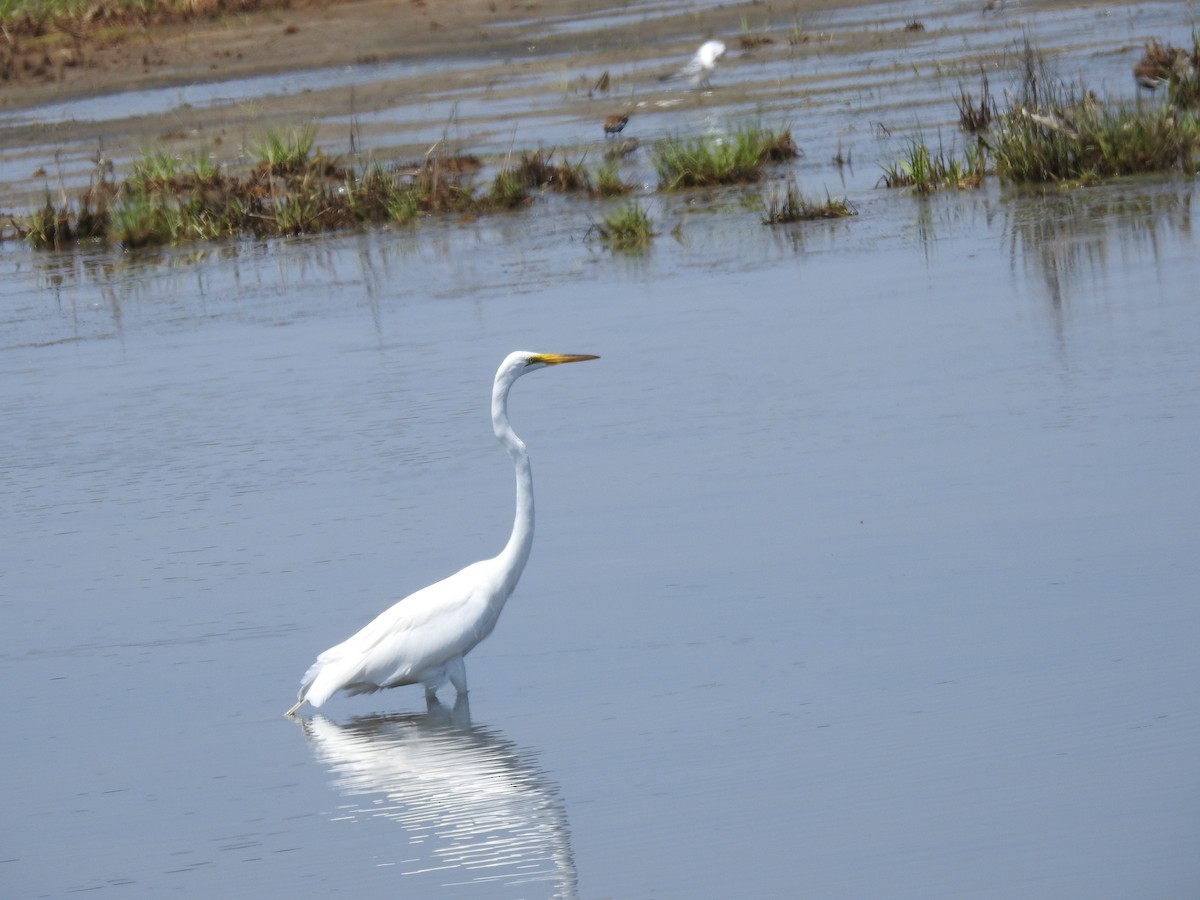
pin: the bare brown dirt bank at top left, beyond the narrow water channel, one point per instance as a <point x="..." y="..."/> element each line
<point x="103" y="58"/>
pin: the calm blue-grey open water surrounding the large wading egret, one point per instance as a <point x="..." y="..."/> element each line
<point x="866" y="562"/>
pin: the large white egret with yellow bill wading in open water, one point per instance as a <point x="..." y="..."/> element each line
<point x="424" y="638"/>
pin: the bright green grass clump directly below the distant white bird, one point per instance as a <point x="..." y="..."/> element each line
<point x="705" y="163"/>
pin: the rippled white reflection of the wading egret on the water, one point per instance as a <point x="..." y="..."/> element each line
<point x="477" y="807"/>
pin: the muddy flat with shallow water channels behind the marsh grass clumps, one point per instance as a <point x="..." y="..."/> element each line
<point x="388" y="80"/>
